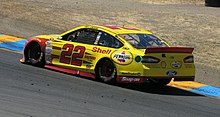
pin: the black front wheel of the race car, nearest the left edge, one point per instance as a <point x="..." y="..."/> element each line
<point x="35" y="56"/>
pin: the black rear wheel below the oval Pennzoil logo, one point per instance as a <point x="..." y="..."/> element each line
<point x="106" y="71"/>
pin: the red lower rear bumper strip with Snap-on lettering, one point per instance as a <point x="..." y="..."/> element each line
<point x="144" y="79"/>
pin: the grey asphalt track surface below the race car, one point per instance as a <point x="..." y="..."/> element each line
<point x="27" y="91"/>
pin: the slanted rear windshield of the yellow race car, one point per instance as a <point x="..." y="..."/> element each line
<point x="141" y="41"/>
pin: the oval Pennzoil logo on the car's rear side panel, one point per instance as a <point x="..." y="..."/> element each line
<point x="122" y="57"/>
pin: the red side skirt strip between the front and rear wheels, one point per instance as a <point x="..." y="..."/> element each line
<point x="70" y="71"/>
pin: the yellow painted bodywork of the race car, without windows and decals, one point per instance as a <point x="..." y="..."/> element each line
<point x="131" y="65"/>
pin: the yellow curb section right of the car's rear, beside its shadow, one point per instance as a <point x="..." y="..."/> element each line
<point x="186" y="85"/>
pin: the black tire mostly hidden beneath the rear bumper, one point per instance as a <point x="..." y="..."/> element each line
<point x="160" y="82"/>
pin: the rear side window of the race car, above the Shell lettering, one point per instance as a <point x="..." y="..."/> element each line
<point x="108" y="40"/>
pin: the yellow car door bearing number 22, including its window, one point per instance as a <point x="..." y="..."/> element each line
<point x="71" y="50"/>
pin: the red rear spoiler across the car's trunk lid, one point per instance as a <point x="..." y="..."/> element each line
<point x="169" y="50"/>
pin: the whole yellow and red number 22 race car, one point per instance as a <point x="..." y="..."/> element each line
<point x="111" y="54"/>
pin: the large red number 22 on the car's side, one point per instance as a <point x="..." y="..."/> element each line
<point x="68" y="57"/>
